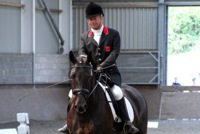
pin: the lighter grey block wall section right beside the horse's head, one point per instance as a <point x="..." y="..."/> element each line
<point x="51" y="68"/>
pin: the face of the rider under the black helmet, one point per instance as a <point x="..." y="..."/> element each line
<point x="95" y="22"/>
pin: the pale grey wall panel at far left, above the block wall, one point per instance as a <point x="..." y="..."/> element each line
<point x="10" y="25"/>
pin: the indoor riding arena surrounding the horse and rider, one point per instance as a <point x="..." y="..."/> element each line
<point x="37" y="35"/>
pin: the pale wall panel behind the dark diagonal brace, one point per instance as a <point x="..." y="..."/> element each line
<point x="46" y="40"/>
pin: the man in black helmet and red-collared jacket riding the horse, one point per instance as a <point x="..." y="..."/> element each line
<point x="103" y="44"/>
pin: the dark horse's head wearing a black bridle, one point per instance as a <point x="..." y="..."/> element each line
<point x="82" y="81"/>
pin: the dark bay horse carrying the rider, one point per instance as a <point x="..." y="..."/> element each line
<point x="89" y="111"/>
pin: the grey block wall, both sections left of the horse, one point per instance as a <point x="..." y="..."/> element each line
<point x="18" y="68"/>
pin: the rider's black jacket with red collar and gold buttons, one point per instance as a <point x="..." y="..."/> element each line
<point x="104" y="54"/>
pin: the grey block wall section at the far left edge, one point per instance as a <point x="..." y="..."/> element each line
<point x="15" y="68"/>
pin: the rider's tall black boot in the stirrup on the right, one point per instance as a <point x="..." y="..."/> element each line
<point x="128" y="128"/>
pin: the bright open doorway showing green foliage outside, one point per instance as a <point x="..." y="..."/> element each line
<point x="183" y="66"/>
